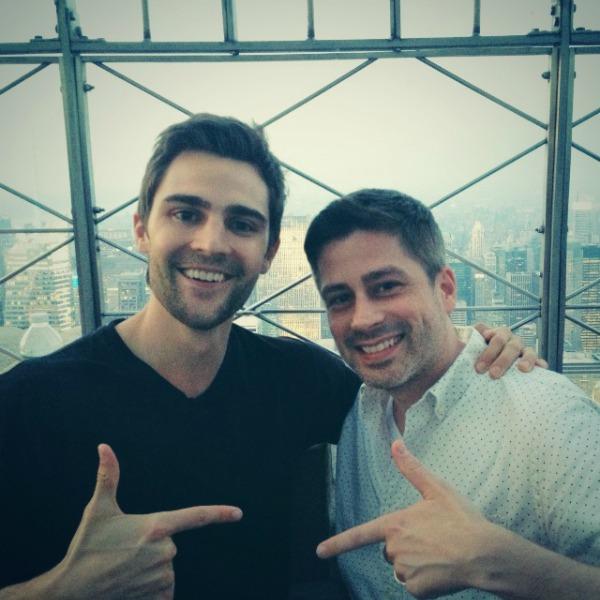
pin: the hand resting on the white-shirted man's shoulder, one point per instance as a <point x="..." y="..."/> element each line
<point x="503" y="349"/>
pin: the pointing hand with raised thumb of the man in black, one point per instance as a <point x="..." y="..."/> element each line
<point x="118" y="556"/>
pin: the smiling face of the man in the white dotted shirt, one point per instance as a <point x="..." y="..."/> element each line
<point x="389" y="321"/>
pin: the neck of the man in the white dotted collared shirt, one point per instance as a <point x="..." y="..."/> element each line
<point x="413" y="390"/>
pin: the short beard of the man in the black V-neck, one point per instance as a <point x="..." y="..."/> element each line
<point x="200" y="314"/>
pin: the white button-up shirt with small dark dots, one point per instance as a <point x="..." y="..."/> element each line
<point x="525" y="448"/>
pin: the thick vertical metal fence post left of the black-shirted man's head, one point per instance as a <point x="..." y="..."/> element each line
<point x="74" y="87"/>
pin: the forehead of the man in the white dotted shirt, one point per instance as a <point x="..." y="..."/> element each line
<point x="349" y="260"/>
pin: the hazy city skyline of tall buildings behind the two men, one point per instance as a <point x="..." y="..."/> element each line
<point x="503" y="241"/>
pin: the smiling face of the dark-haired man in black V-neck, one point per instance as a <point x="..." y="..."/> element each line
<point x="206" y="238"/>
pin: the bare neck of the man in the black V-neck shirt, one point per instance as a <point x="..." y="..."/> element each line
<point x="188" y="359"/>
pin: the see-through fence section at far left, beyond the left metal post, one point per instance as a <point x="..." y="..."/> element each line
<point x="33" y="162"/>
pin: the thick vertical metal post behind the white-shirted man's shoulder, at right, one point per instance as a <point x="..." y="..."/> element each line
<point x="557" y="188"/>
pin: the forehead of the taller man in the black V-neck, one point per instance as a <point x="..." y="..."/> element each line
<point x="218" y="180"/>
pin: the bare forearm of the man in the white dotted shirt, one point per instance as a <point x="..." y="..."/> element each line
<point x="517" y="569"/>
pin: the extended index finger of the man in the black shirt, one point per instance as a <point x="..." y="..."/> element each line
<point x="169" y="522"/>
